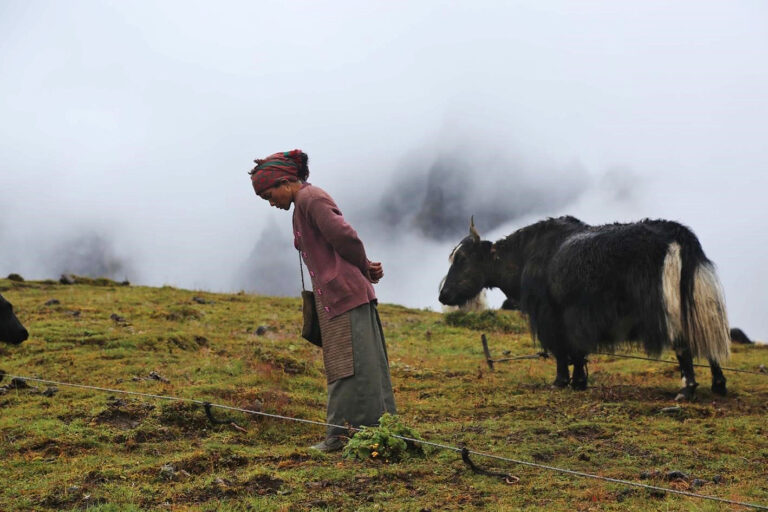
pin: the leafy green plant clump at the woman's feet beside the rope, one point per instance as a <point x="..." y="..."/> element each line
<point x="380" y="443"/>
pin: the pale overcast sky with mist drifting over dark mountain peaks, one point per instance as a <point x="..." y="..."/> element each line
<point x="127" y="129"/>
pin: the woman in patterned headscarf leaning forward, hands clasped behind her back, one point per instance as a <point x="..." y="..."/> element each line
<point x="354" y="352"/>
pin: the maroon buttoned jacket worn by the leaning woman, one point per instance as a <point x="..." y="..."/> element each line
<point x="332" y="252"/>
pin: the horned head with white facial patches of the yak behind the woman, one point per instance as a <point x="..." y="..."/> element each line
<point x="470" y="267"/>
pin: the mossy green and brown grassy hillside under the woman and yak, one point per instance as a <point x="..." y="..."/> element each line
<point x="84" y="449"/>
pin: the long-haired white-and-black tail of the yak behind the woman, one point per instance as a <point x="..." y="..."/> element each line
<point x="694" y="302"/>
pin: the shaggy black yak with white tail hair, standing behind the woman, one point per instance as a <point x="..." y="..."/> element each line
<point x="590" y="288"/>
